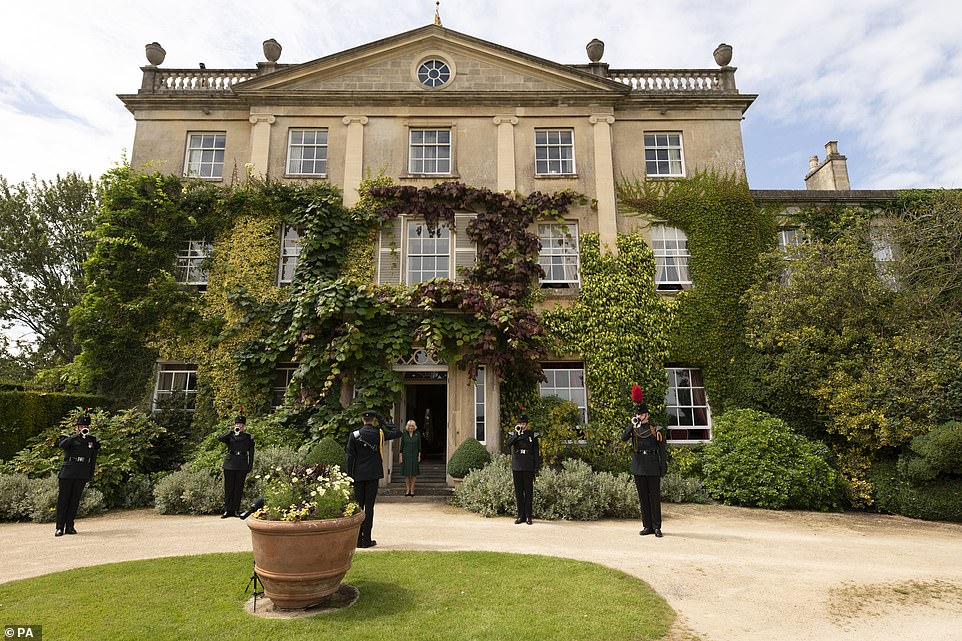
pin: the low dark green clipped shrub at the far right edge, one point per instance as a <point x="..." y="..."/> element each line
<point x="939" y="500"/>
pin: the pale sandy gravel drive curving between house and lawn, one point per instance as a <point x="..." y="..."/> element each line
<point x="733" y="574"/>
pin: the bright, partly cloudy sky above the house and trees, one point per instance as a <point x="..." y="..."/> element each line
<point x="883" y="77"/>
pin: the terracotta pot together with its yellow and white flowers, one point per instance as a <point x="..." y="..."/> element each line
<point x="305" y="534"/>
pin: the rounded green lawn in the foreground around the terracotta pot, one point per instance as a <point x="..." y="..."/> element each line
<point x="404" y="596"/>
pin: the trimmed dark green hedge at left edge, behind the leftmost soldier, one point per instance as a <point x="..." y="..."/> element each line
<point x="26" y="413"/>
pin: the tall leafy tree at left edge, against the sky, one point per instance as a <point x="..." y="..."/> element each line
<point x="43" y="245"/>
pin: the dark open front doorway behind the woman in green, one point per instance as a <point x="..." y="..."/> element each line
<point x="426" y="403"/>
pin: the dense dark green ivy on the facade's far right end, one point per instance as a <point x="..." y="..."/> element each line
<point x="726" y="234"/>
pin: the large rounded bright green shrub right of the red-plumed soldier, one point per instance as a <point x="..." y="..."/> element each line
<point x="756" y="460"/>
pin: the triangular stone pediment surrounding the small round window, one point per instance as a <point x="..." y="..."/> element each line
<point x="390" y="66"/>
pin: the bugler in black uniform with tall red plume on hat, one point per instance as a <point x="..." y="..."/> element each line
<point x="649" y="462"/>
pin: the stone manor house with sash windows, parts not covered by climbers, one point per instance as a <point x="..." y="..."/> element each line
<point x="432" y="105"/>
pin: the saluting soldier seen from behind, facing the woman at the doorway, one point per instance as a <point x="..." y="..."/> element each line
<point x="366" y="467"/>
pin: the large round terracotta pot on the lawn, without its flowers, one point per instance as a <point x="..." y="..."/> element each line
<point x="301" y="563"/>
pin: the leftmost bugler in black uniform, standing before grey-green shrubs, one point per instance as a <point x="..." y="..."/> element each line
<point x="80" y="457"/>
